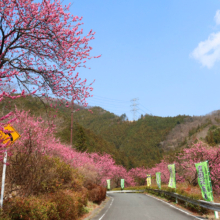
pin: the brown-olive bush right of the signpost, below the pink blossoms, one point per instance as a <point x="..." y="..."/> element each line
<point x="29" y="175"/>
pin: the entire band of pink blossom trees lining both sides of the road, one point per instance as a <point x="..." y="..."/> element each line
<point x="38" y="136"/>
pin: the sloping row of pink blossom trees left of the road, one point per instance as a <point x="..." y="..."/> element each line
<point x="37" y="136"/>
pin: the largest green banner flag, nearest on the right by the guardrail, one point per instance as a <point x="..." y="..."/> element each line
<point x="204" y="180"/>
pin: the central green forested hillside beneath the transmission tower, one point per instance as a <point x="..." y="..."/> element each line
<point x="140" y="140"/>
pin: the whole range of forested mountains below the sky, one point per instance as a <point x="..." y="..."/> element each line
<point x="131" y="143"/>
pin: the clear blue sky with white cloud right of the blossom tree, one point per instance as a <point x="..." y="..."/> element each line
<point x="165" y="53"/>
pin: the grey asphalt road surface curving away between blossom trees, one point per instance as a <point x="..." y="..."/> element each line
<point x="136" y="206"/>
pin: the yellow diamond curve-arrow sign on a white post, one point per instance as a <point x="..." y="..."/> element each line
<point x="9" y="138"/>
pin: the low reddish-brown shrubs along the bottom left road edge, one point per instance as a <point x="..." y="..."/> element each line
<point x="61" y="205"/>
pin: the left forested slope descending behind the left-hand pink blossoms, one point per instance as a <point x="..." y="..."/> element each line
<point x="83" y="139"/>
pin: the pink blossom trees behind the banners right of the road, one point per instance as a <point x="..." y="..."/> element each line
<point x="185" y="165"/>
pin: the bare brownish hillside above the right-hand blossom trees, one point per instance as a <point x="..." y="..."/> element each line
<point x="205" y="128"/>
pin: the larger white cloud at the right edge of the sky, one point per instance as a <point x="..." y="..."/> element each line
<point x="208" y="51"/>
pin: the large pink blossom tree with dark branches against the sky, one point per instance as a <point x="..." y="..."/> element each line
<point x="41" y="46"/>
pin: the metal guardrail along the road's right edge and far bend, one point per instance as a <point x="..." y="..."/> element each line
<point x="209" y="205"/>
